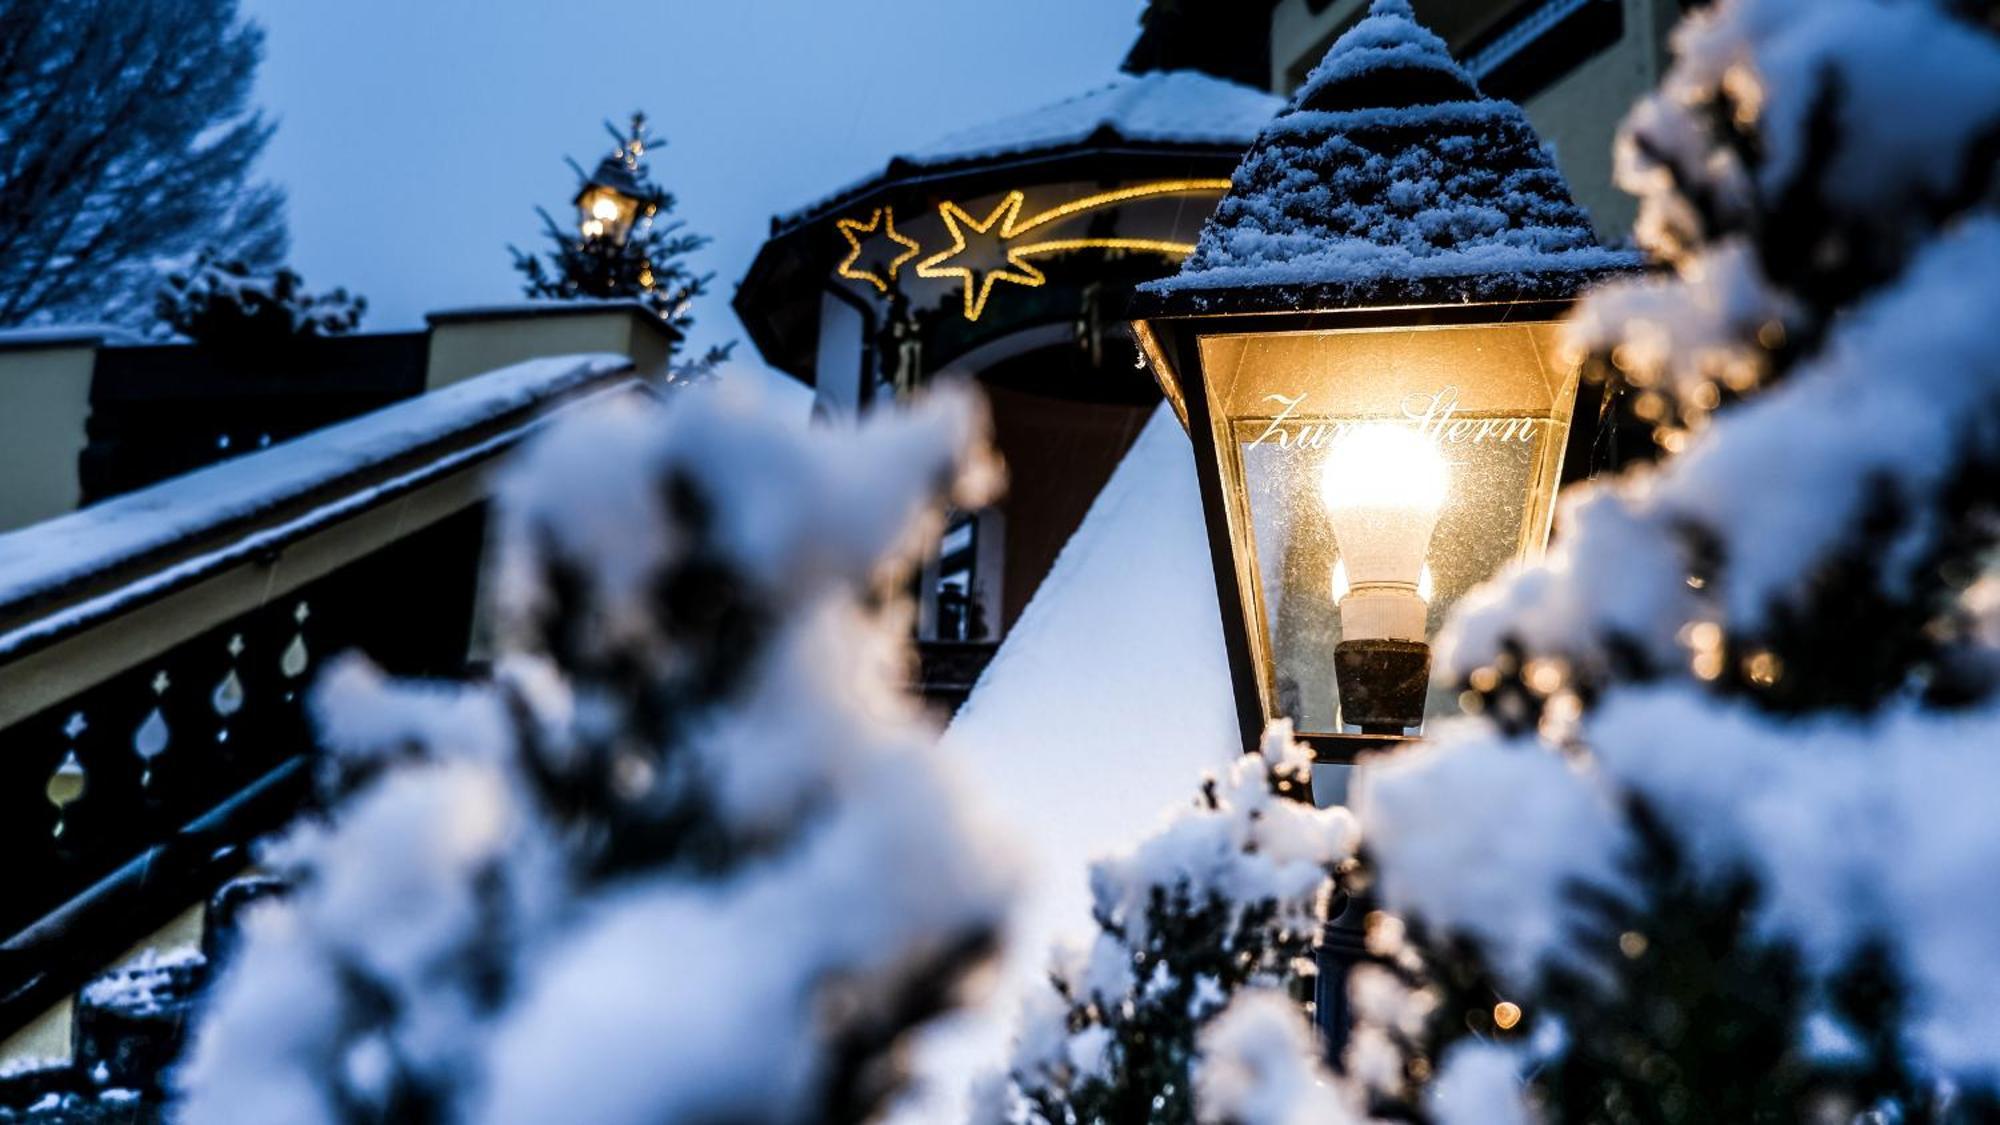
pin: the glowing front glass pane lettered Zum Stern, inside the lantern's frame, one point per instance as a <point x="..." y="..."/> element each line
<point x="1429" y="449"/>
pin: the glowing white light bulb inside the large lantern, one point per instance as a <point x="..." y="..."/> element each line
<point x="1383" y="487"/>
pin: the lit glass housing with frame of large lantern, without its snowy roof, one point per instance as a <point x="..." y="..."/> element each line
<point x="1361" y="471"/>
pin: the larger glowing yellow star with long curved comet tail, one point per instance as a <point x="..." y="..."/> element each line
<point x="1005" y="225"/>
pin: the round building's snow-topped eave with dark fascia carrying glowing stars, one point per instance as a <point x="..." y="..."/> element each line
<point x="1003" y="235"/>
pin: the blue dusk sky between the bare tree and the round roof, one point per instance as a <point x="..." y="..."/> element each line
<point x="417" y="137"/>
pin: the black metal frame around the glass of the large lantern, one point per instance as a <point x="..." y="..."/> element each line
<point x="1171" y="345"/>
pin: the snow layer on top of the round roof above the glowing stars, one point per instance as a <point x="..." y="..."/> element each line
<point x="1161" y="109"/>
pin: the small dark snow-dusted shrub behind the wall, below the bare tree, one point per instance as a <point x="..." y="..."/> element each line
<point x="223" y="303"/>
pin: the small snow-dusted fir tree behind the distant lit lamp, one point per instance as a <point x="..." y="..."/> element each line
<point x="647" y="261"/>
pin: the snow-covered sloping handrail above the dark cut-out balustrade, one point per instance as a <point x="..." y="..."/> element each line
<point x="63" y="576"/>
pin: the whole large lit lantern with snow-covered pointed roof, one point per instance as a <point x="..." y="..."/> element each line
<point x="1365" y="353"/>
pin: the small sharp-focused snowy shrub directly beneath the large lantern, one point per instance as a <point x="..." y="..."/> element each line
<point x="1229" y="896"/>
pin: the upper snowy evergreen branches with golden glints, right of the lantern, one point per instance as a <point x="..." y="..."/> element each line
<point x="1821" y="179"/>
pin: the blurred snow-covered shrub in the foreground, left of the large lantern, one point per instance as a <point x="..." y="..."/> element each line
<point x="689" y="854"/>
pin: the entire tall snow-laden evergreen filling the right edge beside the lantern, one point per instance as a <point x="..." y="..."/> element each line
<point x="1715" y="842"/>
